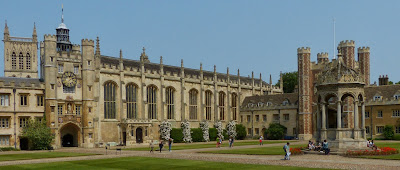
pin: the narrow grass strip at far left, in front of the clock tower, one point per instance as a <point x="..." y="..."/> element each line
<point x="40" y="155"/>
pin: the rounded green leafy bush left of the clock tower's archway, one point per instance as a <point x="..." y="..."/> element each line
<point x="38" y="135"/>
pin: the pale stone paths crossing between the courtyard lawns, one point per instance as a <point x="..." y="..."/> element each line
<point x="310" y="161"/>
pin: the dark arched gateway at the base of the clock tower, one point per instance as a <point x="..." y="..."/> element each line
<point x="70" y="135"/>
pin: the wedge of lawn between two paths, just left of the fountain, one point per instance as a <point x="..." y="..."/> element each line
<point x="274" y="150"/>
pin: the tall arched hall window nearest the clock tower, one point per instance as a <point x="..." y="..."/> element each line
<point x="109" y="100"/>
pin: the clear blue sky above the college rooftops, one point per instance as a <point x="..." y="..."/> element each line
<point x="258" y="35"/>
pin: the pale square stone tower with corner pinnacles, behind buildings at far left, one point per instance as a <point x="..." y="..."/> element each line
<point x="20" y="55"/>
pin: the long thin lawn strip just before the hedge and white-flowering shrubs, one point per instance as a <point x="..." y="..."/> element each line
<point x="205" y="145"/>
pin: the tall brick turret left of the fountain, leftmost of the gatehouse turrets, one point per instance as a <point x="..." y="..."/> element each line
<point x="305" y="96"/>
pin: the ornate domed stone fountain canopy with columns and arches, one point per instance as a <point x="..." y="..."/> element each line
<point x="340" y="91"/>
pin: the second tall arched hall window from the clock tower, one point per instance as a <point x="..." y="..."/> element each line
<point x="131" y="101"/>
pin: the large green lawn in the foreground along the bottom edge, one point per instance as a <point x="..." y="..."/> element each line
<point x="142" y="163"/>
